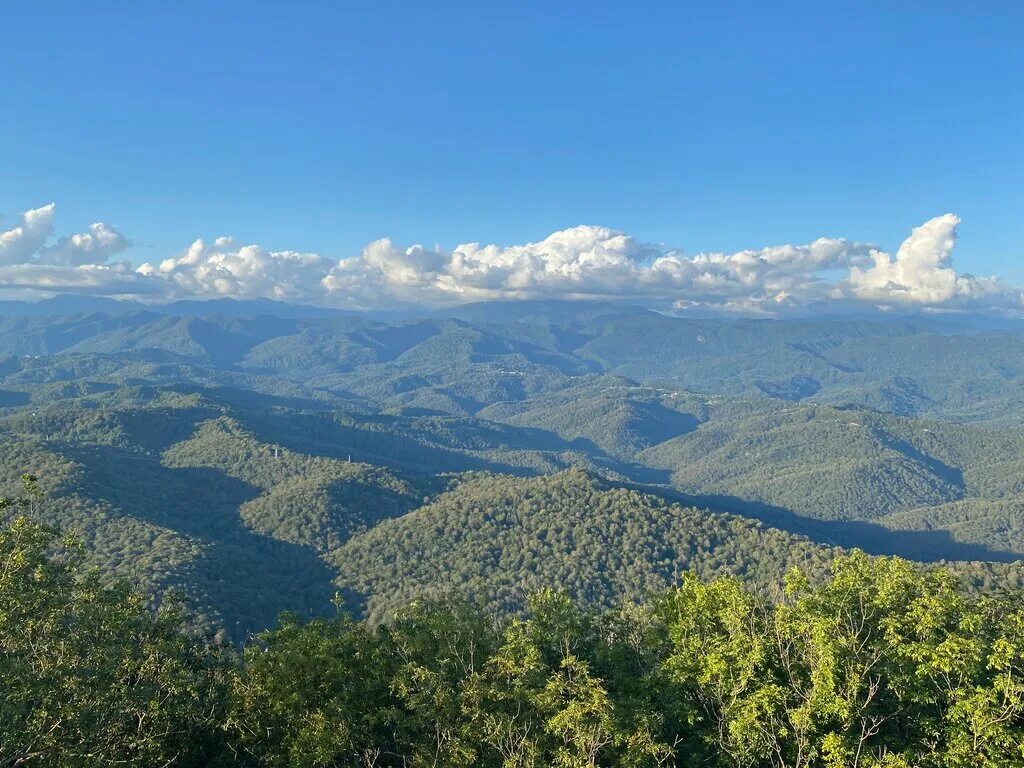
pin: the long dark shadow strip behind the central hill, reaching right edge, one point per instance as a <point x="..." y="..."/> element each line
<point x="924" y="546"/>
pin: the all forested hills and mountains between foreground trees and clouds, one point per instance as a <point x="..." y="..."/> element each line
<point x="265" y="456"/>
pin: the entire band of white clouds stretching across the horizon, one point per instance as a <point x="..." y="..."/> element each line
<point x="591" y="263"/>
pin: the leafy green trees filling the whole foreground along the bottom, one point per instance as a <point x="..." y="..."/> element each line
<point x="877" y="663"/>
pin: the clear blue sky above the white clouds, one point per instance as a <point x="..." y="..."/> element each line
<point x="321" y="127"/>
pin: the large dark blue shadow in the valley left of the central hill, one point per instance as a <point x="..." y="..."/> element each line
<point x="246" y="578"/>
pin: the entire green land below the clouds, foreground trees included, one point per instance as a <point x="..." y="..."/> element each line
<point x="516" y="535"/>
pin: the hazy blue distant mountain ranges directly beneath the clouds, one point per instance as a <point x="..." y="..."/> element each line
<point x="492" y="354"/>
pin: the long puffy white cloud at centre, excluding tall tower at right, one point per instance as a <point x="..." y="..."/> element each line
<point x="590" y="263"/>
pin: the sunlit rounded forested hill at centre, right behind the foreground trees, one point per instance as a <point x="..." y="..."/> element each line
<point x="498" y="539"/>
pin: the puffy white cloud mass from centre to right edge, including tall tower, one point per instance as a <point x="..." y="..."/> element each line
<point x="596" y="263"/>
